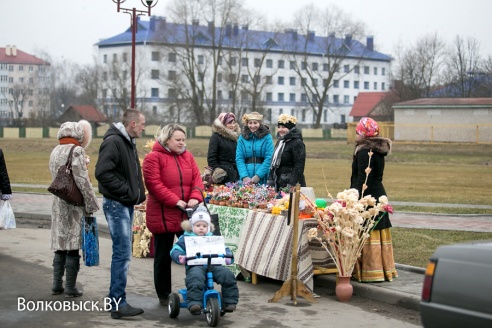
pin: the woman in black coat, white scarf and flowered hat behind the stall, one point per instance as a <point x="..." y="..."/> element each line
<point x="289" y="158"/>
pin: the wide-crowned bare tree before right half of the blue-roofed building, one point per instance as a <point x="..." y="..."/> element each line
<point x="318" y="77"/>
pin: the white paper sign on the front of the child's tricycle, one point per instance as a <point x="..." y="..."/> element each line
<point x="205" y="245"/>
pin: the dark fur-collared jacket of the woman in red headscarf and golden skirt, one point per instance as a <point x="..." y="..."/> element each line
<point x="380" y="148"/>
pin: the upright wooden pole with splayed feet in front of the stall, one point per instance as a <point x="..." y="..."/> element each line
<point x="293" y="286"/>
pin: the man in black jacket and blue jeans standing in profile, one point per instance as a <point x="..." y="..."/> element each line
<point x="120" y="181"/>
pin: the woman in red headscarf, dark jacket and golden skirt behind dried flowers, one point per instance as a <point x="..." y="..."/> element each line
<point x="376" y="262"/>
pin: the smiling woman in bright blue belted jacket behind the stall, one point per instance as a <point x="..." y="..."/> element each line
<point x="254" y="150"/>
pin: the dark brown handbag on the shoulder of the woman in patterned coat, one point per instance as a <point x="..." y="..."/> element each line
<point x="64" y="187"/>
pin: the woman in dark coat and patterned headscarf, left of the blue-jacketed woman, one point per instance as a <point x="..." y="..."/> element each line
<point x="222" y="149"/>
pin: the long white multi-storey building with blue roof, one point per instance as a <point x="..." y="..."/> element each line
<point x="235" y="68"/>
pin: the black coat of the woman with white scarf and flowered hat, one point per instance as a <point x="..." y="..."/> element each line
<point x="293" y="159"/>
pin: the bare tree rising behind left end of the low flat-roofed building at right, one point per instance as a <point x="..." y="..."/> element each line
<point x="419" y="67"/>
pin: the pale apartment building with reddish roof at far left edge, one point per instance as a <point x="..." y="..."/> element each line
<point x="24" y="81"/>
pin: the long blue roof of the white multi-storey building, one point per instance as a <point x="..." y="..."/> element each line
<point x="158" y="31"/>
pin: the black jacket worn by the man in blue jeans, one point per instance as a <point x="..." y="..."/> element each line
<point x="118" y="169"/>
